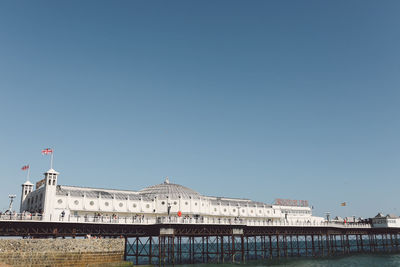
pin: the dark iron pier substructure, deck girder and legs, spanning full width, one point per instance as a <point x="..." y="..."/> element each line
<point x="170" y="244"/>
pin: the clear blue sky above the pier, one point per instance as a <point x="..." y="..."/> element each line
<point x="254" y="99"/>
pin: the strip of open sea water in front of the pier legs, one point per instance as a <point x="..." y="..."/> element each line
<point x="377" y="260"/>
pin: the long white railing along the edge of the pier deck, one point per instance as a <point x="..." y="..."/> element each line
<point x="142" y="220"/>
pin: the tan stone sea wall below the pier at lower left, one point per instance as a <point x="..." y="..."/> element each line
<point x="61" y="252"/>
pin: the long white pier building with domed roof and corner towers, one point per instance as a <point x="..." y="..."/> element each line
<point x="164" y="200"/>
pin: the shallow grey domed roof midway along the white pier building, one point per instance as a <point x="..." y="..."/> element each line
<point x="171" y="190"/>
